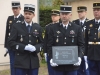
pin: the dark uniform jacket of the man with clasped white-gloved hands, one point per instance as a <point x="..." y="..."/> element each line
<point x="19" y="39"/>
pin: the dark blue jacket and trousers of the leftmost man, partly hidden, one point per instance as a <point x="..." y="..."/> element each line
<point x="9" y="24"/>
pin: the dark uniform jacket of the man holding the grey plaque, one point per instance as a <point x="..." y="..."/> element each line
<point x="60" y="36"/>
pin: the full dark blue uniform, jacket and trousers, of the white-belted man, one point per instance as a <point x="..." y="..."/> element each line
<point x="92" y="40"/>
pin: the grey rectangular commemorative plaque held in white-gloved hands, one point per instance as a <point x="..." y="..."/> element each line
<point x="65" y="54"/>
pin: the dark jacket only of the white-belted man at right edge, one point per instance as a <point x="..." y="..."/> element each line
<point x="92" y="34"/>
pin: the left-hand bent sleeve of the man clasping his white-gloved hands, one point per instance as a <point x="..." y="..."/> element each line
<point x="12" y="41"/>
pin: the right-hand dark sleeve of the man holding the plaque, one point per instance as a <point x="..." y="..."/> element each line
<point x="81" y="43"/>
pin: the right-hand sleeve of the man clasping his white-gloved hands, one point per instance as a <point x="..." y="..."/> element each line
<point x="39" y="45"/>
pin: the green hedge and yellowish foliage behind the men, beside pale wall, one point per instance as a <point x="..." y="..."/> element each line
<point x="45" y="15"/>
